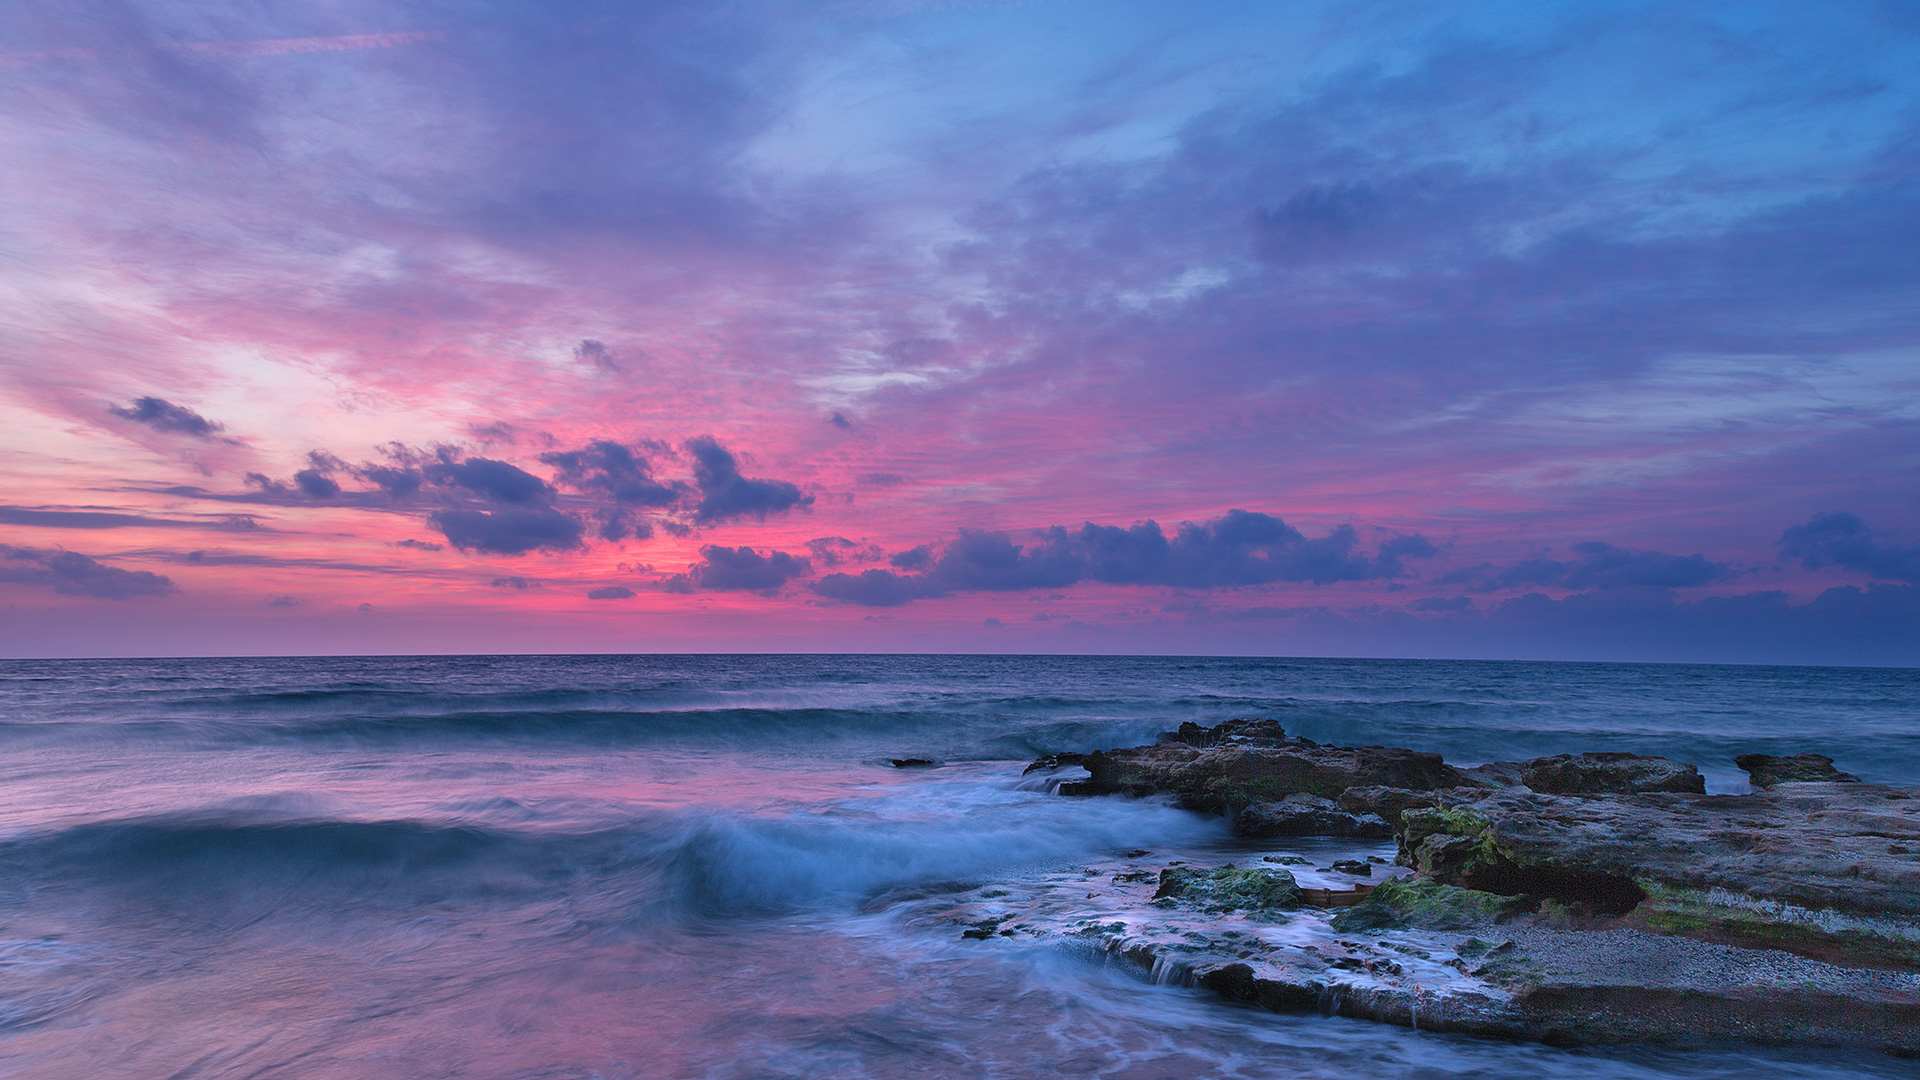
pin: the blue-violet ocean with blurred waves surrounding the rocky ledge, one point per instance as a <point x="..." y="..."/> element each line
<point x="708" y="866"/>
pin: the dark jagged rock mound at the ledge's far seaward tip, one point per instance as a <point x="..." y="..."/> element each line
<point x="1255" y="762"/>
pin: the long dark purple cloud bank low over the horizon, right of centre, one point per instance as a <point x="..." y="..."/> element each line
<point x="1237" y="549"/>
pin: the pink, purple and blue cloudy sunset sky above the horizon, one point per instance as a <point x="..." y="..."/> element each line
<point x="1516" y="331"/>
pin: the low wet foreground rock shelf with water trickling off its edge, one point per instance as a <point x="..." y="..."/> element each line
<point x="1451" y="960"/>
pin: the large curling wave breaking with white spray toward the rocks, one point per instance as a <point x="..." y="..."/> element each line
<point x="671" y="866"/>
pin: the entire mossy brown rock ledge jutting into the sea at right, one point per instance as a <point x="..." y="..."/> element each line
<point x="1573" y="900"/>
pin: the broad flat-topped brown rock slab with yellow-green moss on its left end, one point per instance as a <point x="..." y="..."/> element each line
<point x="1804" y="868"/>
